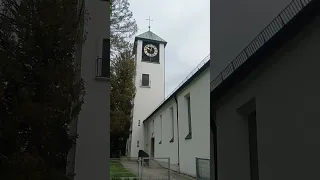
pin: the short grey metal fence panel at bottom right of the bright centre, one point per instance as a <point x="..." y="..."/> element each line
<point x="203" y="169"/>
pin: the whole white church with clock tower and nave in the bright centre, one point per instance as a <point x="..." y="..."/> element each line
<point x="176" y="126"/>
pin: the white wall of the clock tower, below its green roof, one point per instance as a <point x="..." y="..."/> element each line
<point x="146" y="99"/>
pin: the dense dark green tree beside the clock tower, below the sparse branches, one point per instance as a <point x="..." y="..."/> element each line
<point x="122" y="94"/>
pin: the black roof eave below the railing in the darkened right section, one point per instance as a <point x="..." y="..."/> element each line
<point x="280" y="38"/>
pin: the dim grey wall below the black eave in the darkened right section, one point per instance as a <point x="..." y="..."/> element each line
<point x="287" y="96"/>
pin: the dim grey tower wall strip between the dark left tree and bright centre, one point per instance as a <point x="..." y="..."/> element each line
<point x="92" y="151"/>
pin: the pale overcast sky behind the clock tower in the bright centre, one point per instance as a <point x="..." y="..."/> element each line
<point x="185" y="25"/>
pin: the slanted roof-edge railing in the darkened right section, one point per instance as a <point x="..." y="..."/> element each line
<point x="278" y="23"/>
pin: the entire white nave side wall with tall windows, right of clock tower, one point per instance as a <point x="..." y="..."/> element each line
<point x="199" y="145"/>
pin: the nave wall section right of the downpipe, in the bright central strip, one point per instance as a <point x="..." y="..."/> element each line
<point x="199" y="145"/>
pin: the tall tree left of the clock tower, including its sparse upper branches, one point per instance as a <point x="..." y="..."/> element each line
<point x="122" y="28"/>
